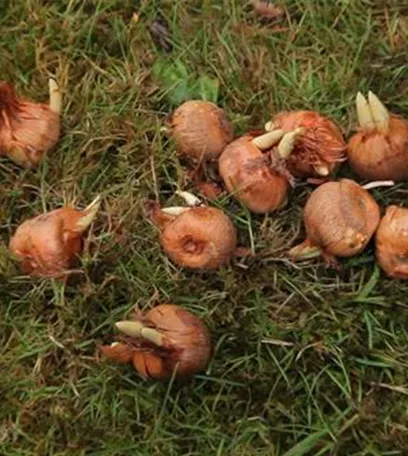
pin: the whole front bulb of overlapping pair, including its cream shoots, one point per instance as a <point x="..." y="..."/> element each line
<point x="254" y="169"/>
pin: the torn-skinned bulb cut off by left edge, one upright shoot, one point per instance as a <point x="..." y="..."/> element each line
<point x="28" y="130"/>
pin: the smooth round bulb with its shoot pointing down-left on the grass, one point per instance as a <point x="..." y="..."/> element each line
<point x="340" y="219"/>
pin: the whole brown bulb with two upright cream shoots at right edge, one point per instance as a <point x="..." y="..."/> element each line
<point x="379" y="149"/>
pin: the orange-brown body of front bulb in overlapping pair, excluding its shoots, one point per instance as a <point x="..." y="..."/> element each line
<point x="249" y="177"/>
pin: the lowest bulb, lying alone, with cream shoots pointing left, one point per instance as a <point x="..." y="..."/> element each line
<point x="166" y="341"/>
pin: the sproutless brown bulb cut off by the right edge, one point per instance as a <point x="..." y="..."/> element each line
<point x="391" y="243"/>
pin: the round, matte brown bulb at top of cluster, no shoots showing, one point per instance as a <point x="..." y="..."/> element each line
<point x="200" y="129"/>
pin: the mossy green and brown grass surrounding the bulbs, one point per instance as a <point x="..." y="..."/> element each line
<point x="308" y="361"/>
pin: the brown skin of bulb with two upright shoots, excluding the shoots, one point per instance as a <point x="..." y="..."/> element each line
<point x="378" y="155"/>
